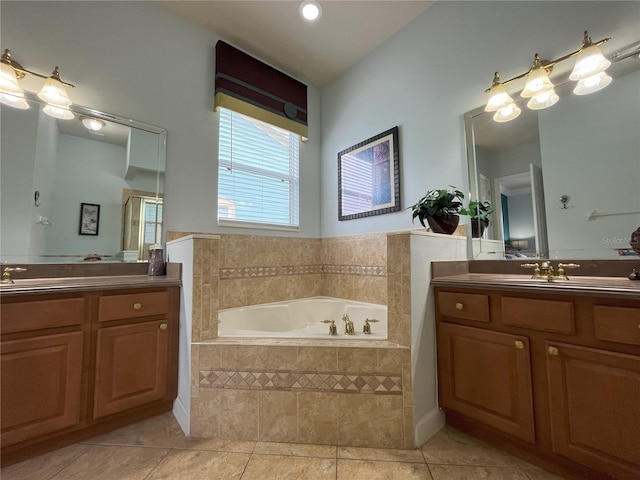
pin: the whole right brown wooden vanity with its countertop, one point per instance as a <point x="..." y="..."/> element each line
<point x="547" y="370"/>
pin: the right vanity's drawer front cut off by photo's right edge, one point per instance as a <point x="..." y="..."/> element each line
<point x="617" y="324"/>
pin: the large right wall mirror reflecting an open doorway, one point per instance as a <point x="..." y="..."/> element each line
<point x="564" y="181"/>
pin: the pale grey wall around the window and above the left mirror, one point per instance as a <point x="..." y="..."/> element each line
<point x="139" y="61"/>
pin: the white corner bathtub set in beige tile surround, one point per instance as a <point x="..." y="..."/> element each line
<point x="303" y="319"/>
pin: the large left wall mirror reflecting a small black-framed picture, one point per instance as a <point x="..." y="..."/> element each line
<point x="51" y="167"/>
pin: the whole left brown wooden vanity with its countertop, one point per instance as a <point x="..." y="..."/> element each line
<point x="82" y="356"/>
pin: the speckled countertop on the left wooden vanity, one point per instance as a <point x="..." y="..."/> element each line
<point x="70" y="284"/>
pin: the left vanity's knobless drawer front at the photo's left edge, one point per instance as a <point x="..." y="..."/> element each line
<point x="25" y="316"/>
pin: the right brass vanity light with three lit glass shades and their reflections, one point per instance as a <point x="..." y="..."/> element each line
<point x="589" y="72"/>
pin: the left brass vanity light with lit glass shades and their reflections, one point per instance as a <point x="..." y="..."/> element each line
<point x="52" y="92"/>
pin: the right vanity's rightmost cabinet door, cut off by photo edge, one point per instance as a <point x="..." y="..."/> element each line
<point x="594" y="398"/>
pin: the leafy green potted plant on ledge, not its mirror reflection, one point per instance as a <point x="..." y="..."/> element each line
<point x="440" y="208"/>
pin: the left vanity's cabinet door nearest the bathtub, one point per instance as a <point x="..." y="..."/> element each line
<point x="131" y="366"/>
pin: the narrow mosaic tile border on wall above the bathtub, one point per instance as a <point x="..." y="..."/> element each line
<point x="256" y="272"/>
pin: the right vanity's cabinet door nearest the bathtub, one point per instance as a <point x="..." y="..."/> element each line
<point x="486" y="376"/>
